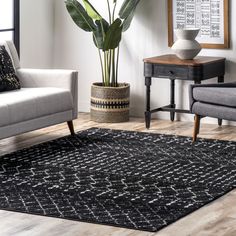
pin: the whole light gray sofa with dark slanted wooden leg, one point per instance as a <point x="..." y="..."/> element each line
<point x="47" y="97"/>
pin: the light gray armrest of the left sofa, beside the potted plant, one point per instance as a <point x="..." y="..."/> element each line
<point x="67" y="79"/>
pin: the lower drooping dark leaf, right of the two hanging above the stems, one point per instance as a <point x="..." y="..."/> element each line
<point x="113" y="35"/>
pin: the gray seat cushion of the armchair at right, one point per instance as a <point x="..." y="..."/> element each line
<point x="217" y="96"/>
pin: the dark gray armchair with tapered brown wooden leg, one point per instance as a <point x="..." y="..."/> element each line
<point x="213" y="100"/>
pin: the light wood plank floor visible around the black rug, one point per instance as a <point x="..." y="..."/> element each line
<point x="216" y="219"/>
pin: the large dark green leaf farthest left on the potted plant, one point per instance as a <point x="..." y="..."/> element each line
<point x="80" y="16"/>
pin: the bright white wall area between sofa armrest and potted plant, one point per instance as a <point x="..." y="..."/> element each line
<point x="74" y="49"/>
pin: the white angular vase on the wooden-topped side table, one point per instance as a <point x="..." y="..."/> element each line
<point x="186" y="47"/>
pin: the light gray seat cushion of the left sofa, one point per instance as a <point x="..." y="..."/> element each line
<point x="30" y="103"/>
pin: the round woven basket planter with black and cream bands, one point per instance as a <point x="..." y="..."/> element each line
<point x="110" y="104"/>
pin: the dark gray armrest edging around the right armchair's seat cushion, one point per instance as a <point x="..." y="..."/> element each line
<point x="215" y="85"/>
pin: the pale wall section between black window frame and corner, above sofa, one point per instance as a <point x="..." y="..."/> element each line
<point x="36" y="33"/>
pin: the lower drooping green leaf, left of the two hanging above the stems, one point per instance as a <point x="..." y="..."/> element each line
<point x="99" y="34"/>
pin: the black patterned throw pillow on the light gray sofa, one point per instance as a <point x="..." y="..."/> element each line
<point x="8" y="78"/>
